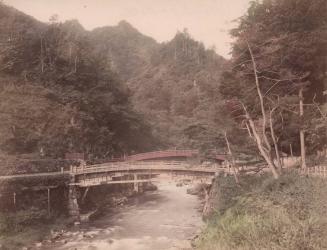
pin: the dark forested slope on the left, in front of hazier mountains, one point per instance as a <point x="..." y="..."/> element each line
<point x="58" y="94"/>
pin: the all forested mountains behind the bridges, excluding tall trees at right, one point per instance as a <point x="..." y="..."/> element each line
<point x="104" y="92"/>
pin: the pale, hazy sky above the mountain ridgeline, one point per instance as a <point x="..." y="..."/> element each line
<point x="206" y="20"/>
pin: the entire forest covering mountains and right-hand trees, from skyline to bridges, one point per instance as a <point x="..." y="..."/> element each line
<point x="114" y="91"/>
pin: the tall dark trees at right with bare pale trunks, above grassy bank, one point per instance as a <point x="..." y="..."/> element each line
<point x="275" y="83"/>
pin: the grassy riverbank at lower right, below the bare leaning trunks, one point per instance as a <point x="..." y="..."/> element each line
<point x="263" y="213"/>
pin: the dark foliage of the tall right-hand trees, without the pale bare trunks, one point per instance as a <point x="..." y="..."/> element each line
<point x="289" y="40"/>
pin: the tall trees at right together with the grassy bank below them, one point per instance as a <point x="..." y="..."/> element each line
<point x="274" y="88"/>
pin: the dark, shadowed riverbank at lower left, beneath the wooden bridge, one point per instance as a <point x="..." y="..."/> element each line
<point x="28" y="225"/>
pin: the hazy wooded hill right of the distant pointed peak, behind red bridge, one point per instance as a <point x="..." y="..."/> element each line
<point x="178" y="92"/>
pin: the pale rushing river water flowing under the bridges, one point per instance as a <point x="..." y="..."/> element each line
<point x="164" y="219"/>
